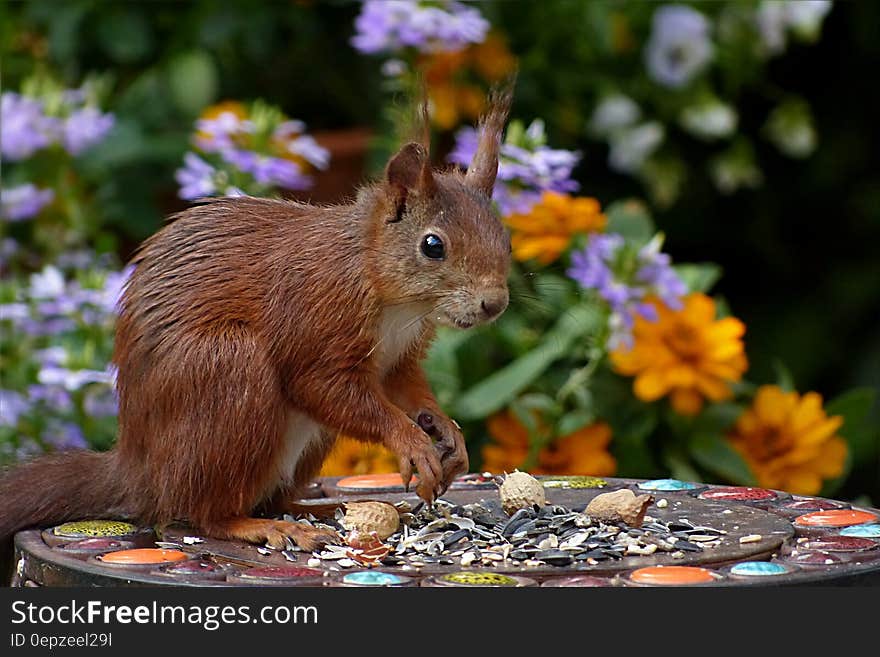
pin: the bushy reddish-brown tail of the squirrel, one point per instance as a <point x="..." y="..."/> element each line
<point x="59" y="487"/>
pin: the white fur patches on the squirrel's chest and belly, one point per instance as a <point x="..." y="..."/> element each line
<point x="399" y="327"/>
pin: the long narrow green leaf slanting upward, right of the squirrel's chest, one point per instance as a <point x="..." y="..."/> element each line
<point x="497" y="390"/>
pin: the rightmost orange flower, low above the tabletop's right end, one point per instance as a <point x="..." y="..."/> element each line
<point x="789" y="441"/>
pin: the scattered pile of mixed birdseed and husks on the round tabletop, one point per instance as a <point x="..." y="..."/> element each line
<point x="482" y="534"/>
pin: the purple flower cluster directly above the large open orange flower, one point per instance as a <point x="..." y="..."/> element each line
<point x="624" y="280"/>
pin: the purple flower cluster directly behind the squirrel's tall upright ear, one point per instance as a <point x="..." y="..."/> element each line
<point x="525" y="170"/>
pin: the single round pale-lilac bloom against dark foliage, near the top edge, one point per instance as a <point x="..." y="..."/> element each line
<point x="679" y="46"/>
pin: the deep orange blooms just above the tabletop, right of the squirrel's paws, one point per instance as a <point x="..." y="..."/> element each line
<point x="583" y="452"/>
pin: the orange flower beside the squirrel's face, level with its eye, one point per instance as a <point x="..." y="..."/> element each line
<point x="546" y="231"/>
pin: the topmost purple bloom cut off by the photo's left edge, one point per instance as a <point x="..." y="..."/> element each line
<point x="26" y="129"/>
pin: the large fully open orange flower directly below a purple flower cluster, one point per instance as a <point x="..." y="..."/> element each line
<point x="686" y="354"/>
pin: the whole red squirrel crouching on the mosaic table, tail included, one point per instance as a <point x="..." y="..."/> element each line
<point x="253" y="331"/>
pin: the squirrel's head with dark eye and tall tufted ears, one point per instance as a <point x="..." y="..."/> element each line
<point x="440" y="243"/>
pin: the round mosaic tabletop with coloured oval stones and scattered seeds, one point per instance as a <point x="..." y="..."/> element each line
<point x="693" y="534"/>
